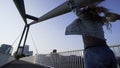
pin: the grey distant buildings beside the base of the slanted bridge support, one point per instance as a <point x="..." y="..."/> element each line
<point x="26" y="51"/>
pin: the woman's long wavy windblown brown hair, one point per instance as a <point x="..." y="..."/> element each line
<point x="93" y="13"/>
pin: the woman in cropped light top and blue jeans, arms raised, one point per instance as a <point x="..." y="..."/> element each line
<point x="89" y="24"/>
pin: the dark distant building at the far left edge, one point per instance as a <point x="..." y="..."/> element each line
<point x="6" y="49"/>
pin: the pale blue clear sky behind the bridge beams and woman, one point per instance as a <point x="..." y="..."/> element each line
<point x="49" y="34"/>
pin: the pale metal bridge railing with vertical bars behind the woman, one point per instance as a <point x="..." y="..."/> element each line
<point x="69" y="59"/>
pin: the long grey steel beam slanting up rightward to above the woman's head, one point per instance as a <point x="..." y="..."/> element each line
<point x="64" y="8"/>
